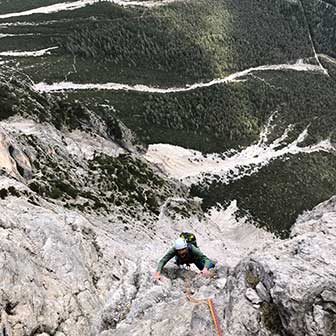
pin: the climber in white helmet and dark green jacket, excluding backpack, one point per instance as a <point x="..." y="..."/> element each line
<point x="185" y="253"/>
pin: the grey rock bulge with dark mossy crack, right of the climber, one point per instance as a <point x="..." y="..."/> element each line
<point x="294" y="282"/>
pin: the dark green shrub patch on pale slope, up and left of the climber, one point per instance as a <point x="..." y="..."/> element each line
<point x="123" y="181"/>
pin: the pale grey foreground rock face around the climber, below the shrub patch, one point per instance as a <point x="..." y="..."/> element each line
<point x="69" y="273"/>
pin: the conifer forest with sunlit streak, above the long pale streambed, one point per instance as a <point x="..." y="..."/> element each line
<point x="196" y="40"/>
